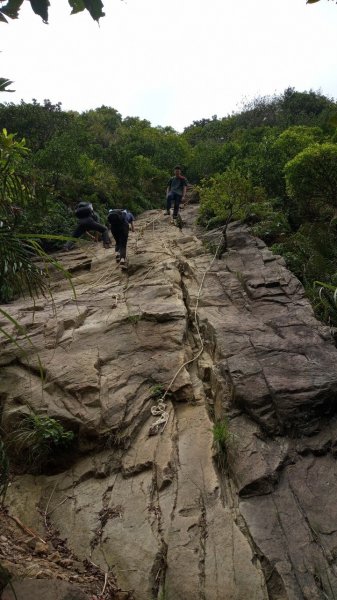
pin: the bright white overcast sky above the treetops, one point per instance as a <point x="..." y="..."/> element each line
<point x="171" y="61"/>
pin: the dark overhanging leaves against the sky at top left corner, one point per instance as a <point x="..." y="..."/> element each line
<point x="11" y="8"/>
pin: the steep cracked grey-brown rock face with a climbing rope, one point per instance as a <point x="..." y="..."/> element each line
<point x="167" y="515"/>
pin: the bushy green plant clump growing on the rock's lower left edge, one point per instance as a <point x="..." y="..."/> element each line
<point x="37" y="439"/>
